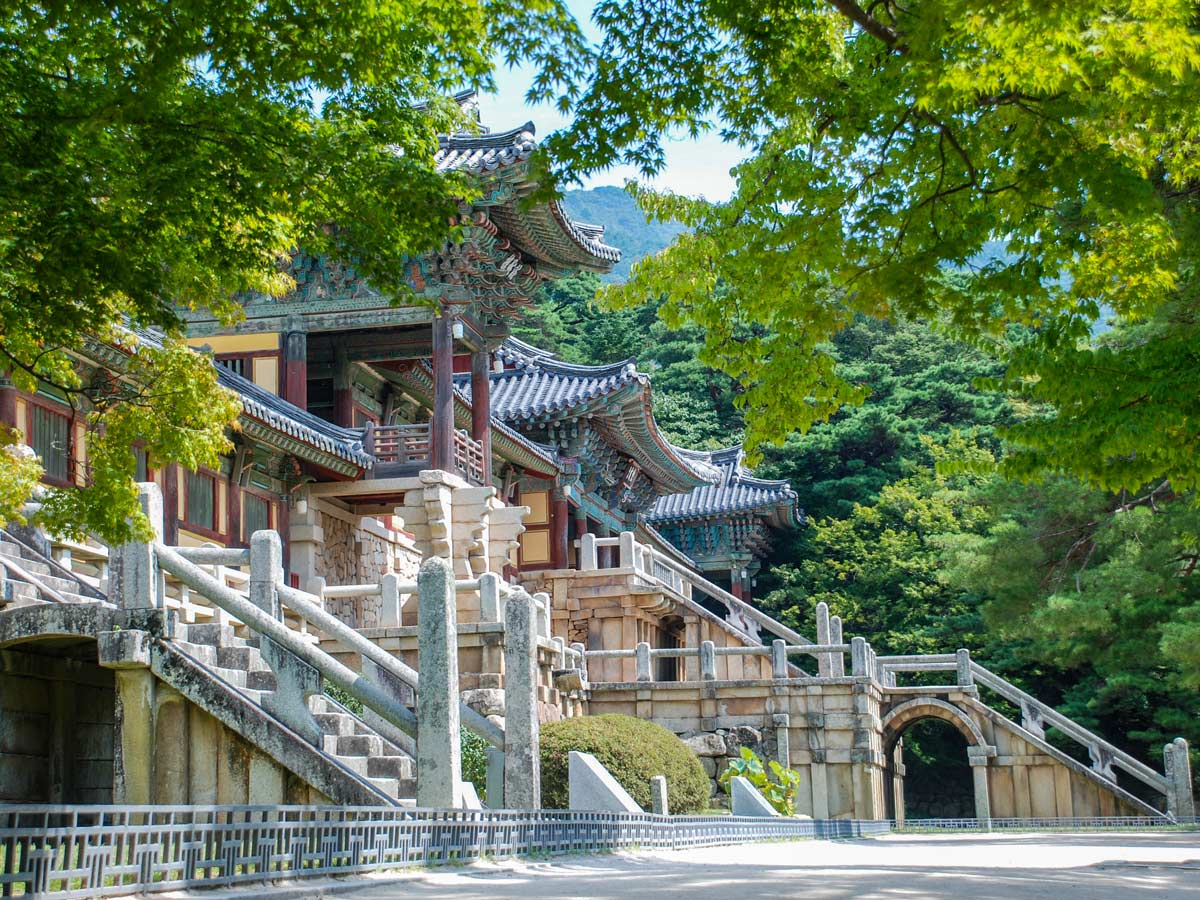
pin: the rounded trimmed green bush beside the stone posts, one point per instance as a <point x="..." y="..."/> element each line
<point x="633" y="751"/>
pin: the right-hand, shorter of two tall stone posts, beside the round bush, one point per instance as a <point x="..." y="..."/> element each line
<point x="523" y="763"/>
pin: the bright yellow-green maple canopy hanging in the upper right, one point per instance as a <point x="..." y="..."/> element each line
<point x="891" y="143"/>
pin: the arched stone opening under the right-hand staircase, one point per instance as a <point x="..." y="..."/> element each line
<point x="937" y="763"/>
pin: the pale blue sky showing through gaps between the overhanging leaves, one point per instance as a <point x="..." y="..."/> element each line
<point x="694" y="167"/>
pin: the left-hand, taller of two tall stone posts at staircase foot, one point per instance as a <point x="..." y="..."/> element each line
<point x="439" y="749"/>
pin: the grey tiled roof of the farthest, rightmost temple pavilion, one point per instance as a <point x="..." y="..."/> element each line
<point x="736" y="491"/>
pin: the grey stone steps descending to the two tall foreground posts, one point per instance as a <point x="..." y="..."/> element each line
<point x="346" y="739"/>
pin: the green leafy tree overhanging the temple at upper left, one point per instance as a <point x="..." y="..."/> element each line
<point x="155" y="157"/>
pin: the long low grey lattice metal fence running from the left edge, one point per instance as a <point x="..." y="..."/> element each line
<point x="104" y="851"/>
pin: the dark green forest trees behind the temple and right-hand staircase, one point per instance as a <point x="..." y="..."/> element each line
<point x="1087" y="599"/>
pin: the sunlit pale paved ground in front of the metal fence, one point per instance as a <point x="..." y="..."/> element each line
<point x="1006" y="867"/>
